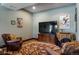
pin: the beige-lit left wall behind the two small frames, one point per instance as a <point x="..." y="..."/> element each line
<point x="7" y="15"/>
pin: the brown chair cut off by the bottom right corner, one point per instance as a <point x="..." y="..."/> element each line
<point x="70" y="48"/>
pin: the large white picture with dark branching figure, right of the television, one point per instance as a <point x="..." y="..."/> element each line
<point x="64" y="22"/>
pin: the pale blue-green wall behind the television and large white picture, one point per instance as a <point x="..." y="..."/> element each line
<point x="53" y="15"/>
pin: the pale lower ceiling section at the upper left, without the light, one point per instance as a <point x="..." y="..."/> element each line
<point x="16" y="6"/>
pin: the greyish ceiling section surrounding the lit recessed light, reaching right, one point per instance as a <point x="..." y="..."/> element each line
<point x="46" y="6"/>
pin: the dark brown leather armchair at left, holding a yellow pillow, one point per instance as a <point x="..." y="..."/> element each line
<point x="12" y="45"/>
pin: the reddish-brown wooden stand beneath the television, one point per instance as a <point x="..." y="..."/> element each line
<point x="49" y="38"/>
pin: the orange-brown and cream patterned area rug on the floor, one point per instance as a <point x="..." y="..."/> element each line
<point x="33" y="47"/>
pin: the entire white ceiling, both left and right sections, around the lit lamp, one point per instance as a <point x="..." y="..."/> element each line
<point x="39" y="6"/>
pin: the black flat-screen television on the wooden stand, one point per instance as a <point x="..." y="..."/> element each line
<point x="48" y="27"/>
